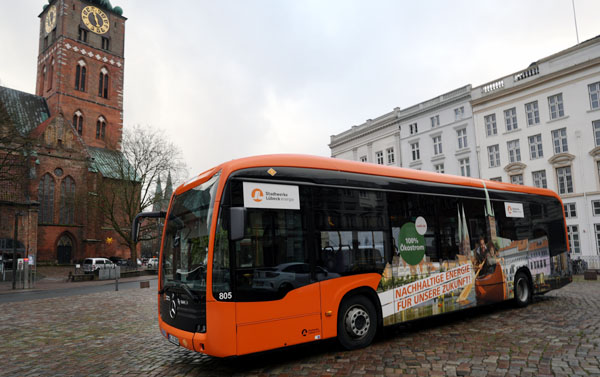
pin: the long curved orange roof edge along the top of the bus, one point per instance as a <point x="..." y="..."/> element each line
<point x="326" y="163"/>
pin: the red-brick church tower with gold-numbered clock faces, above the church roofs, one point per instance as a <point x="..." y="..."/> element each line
<point x="80" y="67"/>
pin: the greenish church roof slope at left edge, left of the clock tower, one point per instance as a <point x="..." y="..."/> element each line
<point x="26" y="111"/>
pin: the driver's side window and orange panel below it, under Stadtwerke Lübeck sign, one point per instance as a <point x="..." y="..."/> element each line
<point x="277" y="296"/>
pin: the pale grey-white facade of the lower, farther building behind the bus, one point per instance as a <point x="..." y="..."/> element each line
<point x="435" y="135"/>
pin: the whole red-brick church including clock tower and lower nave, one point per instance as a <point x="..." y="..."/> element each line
<point x="73" y="127"/>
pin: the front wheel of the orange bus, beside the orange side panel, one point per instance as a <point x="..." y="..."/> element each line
<point x="357" y="322"/>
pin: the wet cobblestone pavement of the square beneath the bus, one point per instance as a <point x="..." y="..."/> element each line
<point x="116" y="333"/>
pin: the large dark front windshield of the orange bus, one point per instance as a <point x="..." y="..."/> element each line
<point x="187" y="230"/>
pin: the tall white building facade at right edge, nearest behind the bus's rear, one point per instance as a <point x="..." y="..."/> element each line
<point x="541" y="127"/>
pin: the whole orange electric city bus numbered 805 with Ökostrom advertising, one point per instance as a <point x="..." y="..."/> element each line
<point x="271" y="251"/>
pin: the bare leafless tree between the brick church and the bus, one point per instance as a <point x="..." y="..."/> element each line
<point x="127" y="185"/>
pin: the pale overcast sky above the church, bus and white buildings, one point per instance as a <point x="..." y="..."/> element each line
<point x="228" y="79"/>
